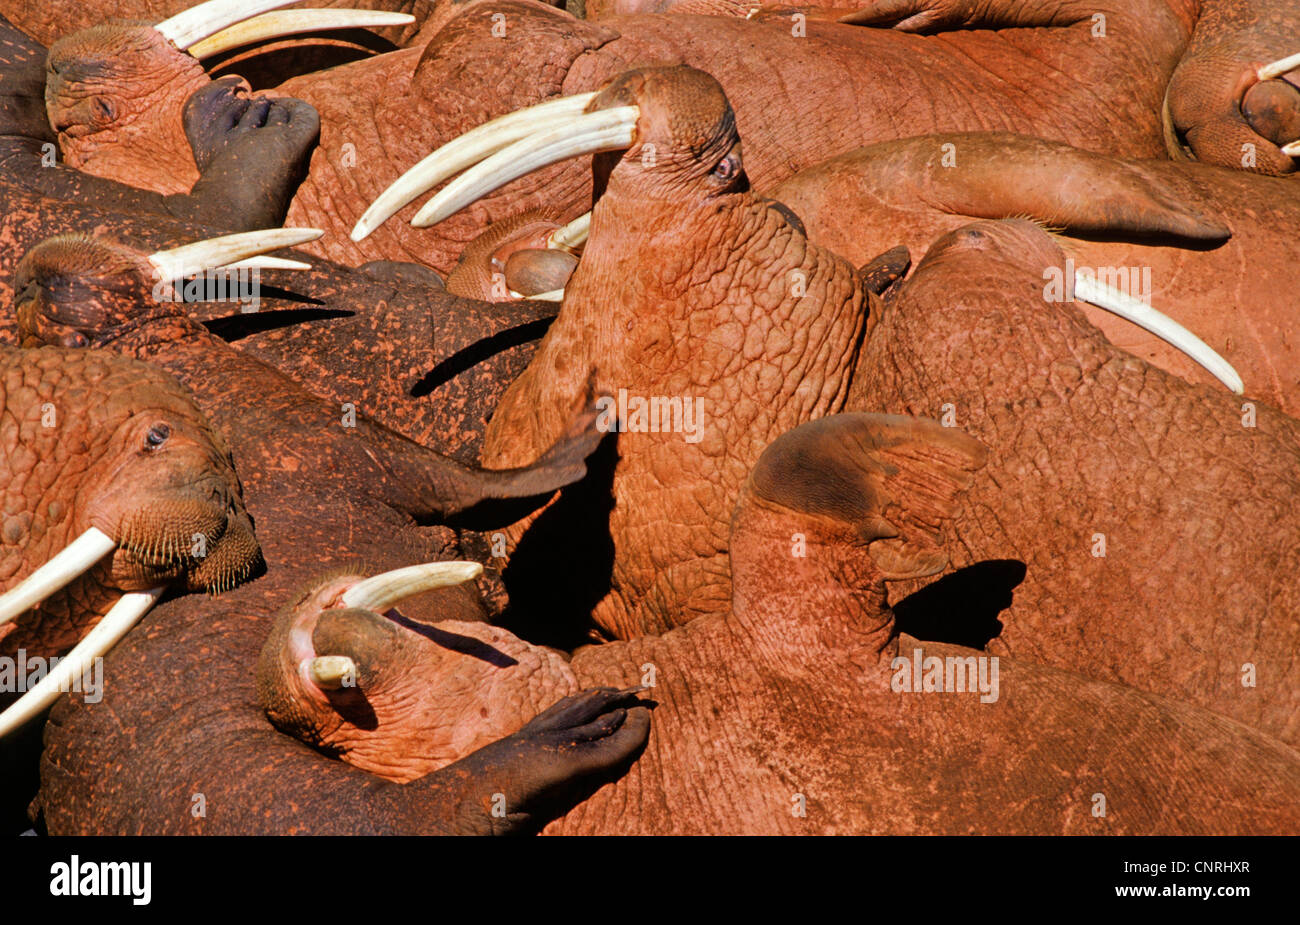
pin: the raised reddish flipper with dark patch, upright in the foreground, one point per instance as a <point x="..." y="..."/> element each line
<point x="865" y="500"/>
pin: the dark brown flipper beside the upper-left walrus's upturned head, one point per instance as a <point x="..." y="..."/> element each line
<point x="253" y="154"/>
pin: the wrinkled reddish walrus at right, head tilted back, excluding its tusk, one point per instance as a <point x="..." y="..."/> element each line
<point x="1154" y="518"/>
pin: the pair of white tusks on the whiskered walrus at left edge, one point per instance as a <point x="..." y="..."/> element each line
<point x="75" y="561"/>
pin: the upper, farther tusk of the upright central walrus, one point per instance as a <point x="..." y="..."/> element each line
<point x="466" y="151"/>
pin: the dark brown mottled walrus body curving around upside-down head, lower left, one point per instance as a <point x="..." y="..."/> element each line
<point x="187" y="676"/>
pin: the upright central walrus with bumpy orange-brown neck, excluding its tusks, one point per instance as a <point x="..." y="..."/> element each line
<point x="691" y="286"/>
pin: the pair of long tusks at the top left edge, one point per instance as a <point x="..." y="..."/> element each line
<point x="220" y="25"/>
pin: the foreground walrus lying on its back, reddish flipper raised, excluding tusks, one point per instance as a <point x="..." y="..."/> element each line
<point x="783" y="702"/>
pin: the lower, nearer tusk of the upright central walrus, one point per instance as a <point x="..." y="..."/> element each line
<point x="587" y="134"/>
